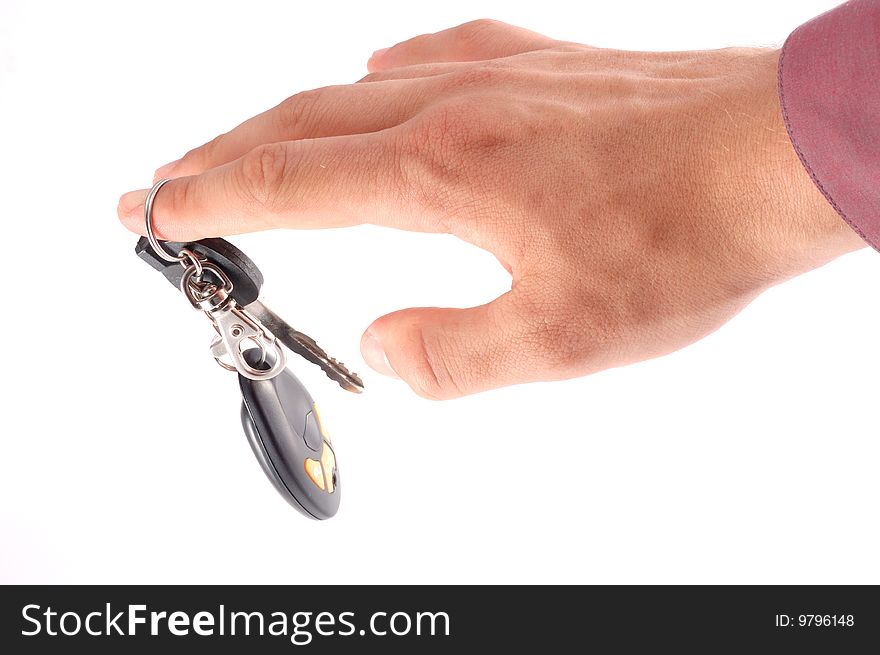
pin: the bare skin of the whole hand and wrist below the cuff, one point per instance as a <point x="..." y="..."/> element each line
<point x="638" y="200"/>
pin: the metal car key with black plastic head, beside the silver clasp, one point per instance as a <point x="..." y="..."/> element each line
<point x="246" y="281"/>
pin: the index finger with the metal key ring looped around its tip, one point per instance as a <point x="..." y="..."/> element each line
<point x="314" y="183"/>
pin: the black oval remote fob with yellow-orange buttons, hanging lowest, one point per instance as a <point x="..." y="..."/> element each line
<point x="286" y="434"/>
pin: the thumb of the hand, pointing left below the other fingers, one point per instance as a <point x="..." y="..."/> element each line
<point x="446" y="353"/>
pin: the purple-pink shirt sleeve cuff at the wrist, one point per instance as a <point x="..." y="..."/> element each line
<point x="829" y="87"/>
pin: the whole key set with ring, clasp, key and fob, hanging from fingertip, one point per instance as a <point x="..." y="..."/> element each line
<point x="279" y="417"/>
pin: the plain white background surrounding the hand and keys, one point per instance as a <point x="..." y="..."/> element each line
<point x="749" y="457"/>
